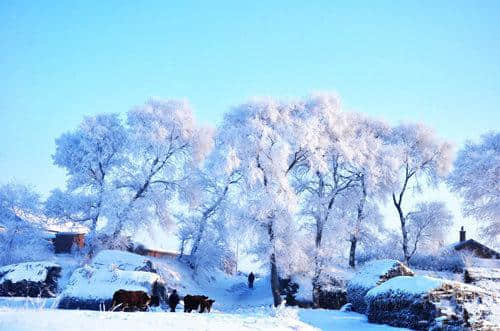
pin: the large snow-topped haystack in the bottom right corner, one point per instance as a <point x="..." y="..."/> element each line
<point x="427" y="303"/>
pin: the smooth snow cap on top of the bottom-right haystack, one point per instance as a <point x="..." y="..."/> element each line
<point x="414" y="285"/>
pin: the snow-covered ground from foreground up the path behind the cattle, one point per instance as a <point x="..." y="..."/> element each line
<point x="236" y="308"/>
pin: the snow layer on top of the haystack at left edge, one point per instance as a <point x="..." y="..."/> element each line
<point x="30" y="271"/>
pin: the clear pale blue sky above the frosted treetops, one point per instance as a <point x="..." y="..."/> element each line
<point x="436" y="62"/>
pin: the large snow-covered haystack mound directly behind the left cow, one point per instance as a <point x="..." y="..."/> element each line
<point x="92" y="286"/>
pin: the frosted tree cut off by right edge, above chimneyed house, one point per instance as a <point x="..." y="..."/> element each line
<point x="476" y="177"/>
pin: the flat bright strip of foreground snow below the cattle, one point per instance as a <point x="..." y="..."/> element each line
<point x="23" y="319"/>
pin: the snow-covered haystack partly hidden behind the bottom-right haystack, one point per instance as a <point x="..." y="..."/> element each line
<point x="370" y="275"/>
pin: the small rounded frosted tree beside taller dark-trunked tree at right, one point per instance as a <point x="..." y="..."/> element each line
<point x="426" y="225"/>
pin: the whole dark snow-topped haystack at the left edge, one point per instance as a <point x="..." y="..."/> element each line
<point x="29" y="279"/>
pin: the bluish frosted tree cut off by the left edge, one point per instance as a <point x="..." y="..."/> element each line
<point x="21" y="236"/>
